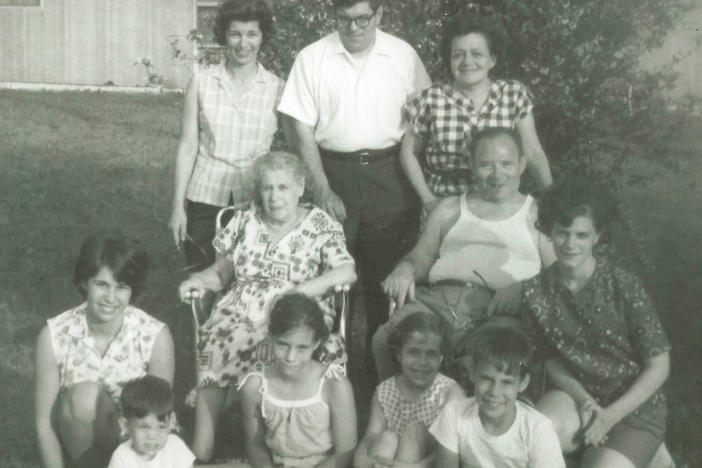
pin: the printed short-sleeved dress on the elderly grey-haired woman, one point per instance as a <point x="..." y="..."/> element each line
<point x="262" y="272"/>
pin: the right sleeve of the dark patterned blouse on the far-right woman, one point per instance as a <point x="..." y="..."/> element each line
<point x="645" y="330"/>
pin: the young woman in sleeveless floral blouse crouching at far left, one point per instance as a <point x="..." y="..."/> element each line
<point x="85" y="355"/>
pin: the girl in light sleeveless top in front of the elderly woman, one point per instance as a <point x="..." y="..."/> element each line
<point x="297" y="411"/>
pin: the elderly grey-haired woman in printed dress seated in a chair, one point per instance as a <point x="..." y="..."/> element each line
<point x="270" y="247"/>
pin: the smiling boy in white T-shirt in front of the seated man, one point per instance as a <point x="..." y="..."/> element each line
<point x="493" y="429"/>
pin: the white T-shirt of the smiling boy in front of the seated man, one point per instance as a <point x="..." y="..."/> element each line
<point x="531" y="441"/>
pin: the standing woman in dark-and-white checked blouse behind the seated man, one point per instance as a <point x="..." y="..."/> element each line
<point x="443" y="117"/>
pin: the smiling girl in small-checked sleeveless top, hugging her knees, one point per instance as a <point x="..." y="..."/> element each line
<point x="405" y="405"/>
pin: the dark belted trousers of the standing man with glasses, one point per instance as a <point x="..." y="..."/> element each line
<point x="381" y="220"/>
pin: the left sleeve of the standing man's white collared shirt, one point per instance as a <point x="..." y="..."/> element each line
<point x="298" y="99"/>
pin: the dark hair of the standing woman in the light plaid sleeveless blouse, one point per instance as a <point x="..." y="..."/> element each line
<point x="242" y="10"/>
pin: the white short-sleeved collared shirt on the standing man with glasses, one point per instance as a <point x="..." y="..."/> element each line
<point x="353" y="105"/>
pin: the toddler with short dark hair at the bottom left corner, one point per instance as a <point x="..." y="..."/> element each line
<point x="147" y="418"/>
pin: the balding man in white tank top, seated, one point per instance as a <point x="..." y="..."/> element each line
<point x="473" y="245"/>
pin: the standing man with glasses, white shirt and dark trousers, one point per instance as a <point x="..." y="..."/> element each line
<point x="342" y="109"/>
